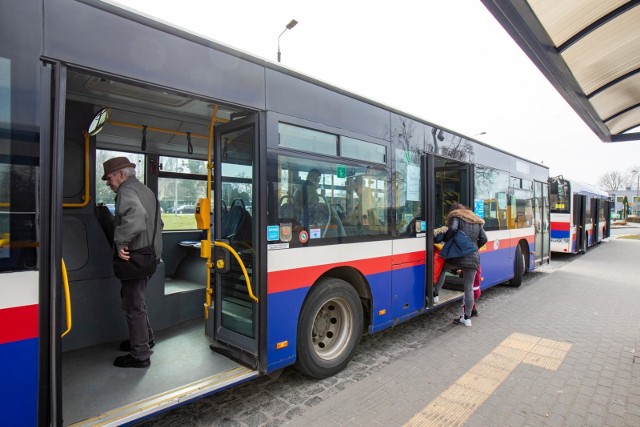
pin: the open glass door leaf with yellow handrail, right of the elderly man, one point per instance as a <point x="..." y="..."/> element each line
<point x="233" y="319"/>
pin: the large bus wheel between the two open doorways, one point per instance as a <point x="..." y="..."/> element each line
<point x="329" y="328"/>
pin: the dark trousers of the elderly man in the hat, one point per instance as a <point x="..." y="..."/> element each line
<point x="135" y="310"/>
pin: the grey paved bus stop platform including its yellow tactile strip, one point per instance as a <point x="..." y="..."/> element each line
<point x="559" y="351"/>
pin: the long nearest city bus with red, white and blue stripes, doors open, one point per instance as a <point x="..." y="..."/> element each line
<point x="297" y="216"/>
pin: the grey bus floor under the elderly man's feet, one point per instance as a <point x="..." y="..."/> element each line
<point x="91" y="385"/>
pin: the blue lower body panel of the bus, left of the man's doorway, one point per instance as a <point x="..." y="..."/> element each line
<point x="19" y="373"/>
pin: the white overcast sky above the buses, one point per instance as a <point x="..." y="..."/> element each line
<point x="448" y="62"/>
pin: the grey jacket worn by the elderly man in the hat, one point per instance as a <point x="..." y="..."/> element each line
<point x="135" y="211"/>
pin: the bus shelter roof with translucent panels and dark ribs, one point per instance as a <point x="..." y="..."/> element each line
<point x="589" y="50"/>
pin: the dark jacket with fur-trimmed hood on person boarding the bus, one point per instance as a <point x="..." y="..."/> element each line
<point x="472" y="225"/>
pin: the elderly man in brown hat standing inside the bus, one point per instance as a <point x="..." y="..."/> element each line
<point x="135" y="213"/>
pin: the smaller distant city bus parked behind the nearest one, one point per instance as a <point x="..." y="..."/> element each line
<point x="580" y="215"/>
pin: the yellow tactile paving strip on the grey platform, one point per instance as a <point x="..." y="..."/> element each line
<point x="457" y="403"/>
